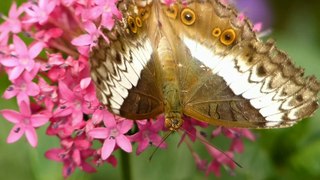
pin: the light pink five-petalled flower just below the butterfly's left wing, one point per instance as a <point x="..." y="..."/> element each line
<point x="113" y="134"/>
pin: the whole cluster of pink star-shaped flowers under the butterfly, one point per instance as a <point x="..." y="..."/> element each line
<point x="51" y="82"/>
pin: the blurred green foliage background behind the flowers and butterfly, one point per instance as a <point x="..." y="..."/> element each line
<point x="292" y="153"/>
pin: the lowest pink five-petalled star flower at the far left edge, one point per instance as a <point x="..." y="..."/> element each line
<point x="25" y="123"/>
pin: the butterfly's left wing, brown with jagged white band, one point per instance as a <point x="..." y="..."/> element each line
<point x="125" y="71"/>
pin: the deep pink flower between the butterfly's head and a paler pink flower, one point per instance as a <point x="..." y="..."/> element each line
<point x="148" y="134"/>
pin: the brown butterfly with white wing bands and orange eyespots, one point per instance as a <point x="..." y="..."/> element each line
<point x="196" y="58"/>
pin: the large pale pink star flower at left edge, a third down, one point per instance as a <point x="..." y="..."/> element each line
<point x="23" y="59"/>
